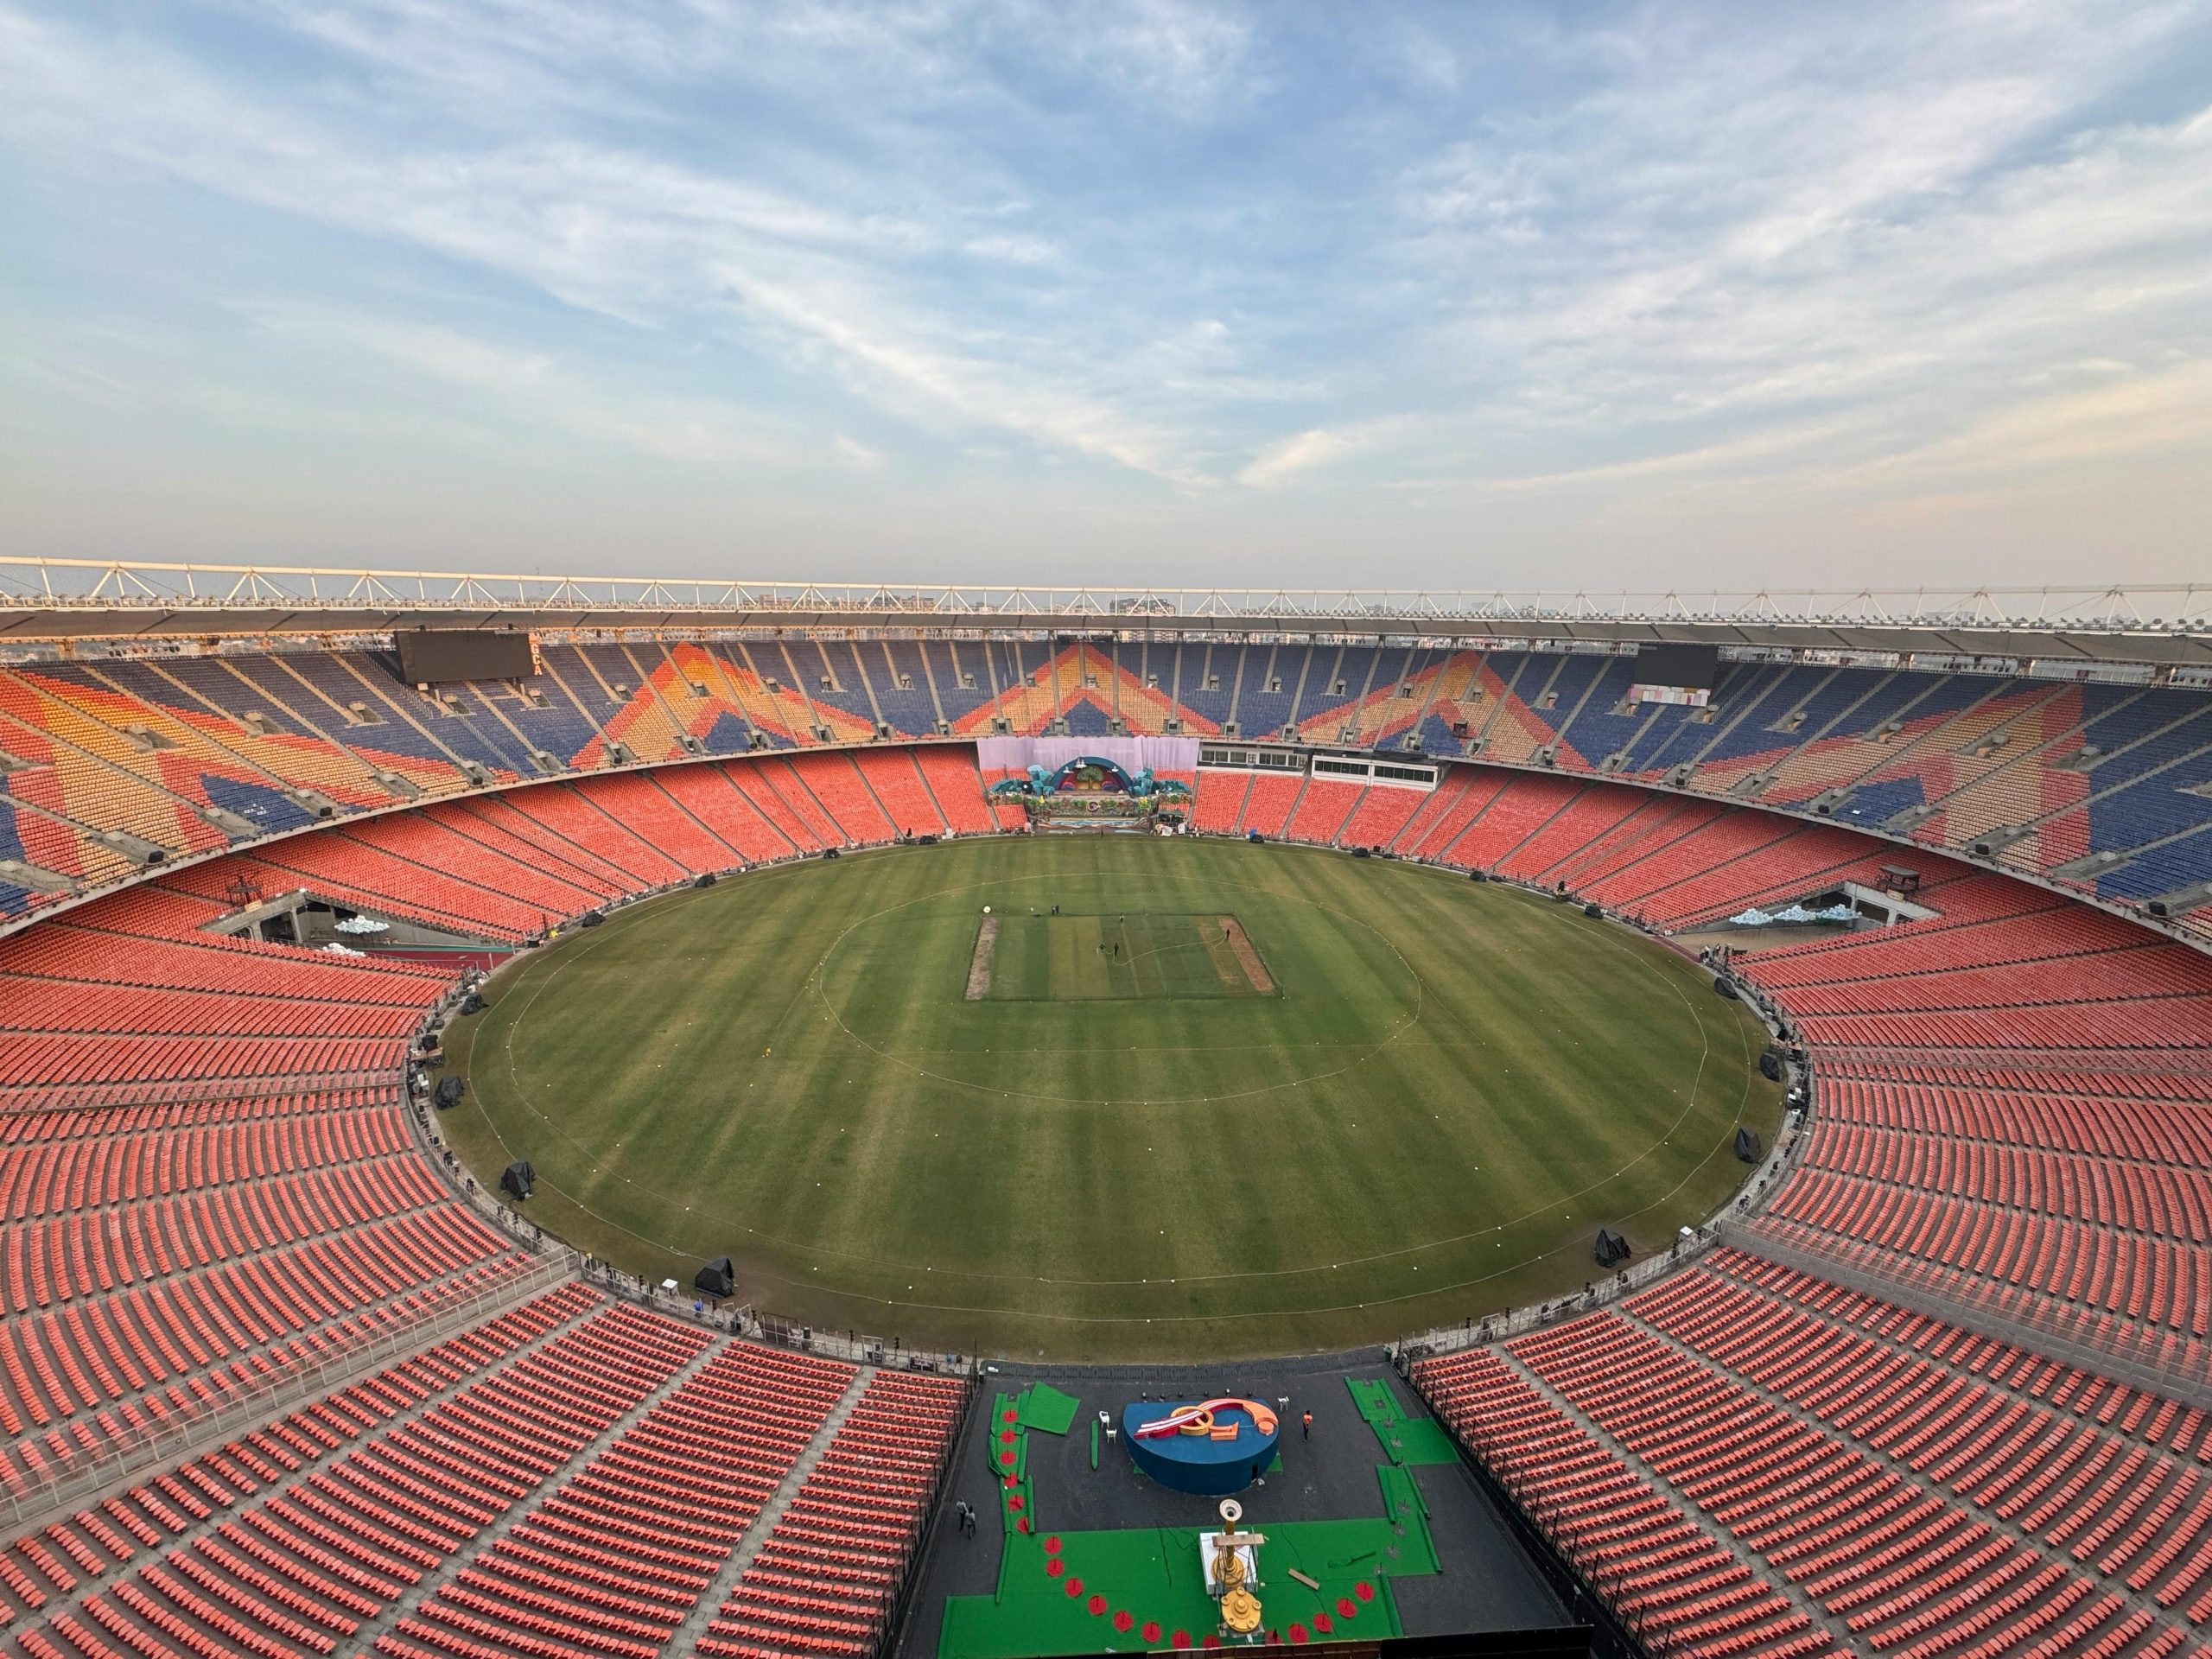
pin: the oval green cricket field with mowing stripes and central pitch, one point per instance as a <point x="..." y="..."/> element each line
<point x="1441" y="1094"/>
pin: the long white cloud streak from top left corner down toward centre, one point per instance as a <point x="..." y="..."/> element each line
<point x="612" y="231"/>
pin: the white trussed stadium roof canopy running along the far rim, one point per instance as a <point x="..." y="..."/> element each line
<point x="147" y="601"/>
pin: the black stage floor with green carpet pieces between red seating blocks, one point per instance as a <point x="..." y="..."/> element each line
<point x="1426" y="1541"/>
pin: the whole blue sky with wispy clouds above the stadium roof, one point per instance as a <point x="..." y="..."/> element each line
<point x="1154" y="295"/>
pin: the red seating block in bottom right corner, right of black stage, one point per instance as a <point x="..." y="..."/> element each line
<point x="1901" y="1483"/>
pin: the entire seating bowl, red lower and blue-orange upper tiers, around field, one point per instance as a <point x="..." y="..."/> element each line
<point x="278" y="1386"/>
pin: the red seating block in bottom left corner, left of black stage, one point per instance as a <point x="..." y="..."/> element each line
<point x="567" y="1477"/>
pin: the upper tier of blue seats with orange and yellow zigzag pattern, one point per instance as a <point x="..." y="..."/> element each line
<point x="2100" y="786"/>
